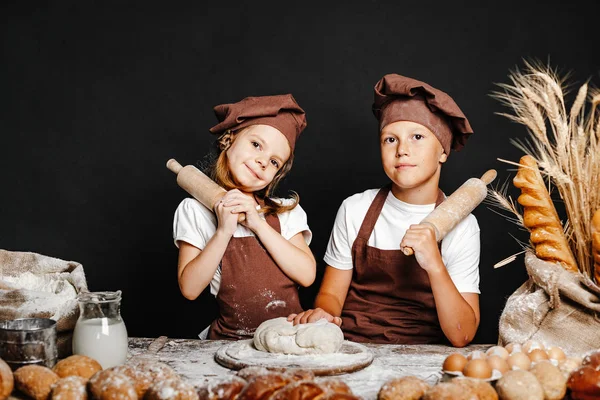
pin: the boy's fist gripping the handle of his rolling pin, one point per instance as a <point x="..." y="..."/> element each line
<point x="421" y="238"/>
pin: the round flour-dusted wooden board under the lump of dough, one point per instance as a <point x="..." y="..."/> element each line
<point x="351" y="357"/>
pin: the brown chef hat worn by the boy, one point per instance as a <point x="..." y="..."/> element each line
<point x="398" y="98"/>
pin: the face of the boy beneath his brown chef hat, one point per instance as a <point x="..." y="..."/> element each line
<point x="411" y="155"/>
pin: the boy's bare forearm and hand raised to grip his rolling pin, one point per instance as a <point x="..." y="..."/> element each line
<point x="458" y="313"/>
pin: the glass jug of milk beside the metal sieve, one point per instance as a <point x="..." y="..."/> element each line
<point x="100" y="332"/>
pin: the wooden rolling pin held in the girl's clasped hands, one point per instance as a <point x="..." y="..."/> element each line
<point x="200" y="186"/>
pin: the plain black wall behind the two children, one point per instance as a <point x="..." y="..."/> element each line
<point x="96" y="96"/>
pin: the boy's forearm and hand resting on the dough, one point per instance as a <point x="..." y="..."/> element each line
<point x="330" y="299"/>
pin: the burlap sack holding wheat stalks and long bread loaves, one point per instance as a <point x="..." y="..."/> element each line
<point x="554" y="307"/>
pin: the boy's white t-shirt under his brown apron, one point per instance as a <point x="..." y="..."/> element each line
<point x="460" y="247"/>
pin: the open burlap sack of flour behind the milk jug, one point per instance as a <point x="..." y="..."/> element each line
<point x="33" y="285"/>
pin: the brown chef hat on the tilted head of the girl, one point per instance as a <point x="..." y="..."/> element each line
<point x="281" y="112"/>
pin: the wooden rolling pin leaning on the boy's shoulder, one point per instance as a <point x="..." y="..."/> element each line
<point x="457" y="206"/>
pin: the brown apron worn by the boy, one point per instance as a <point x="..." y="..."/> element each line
<point x="390" y="298"/>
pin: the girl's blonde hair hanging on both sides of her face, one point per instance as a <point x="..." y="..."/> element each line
<point x="220" y="173"/>
